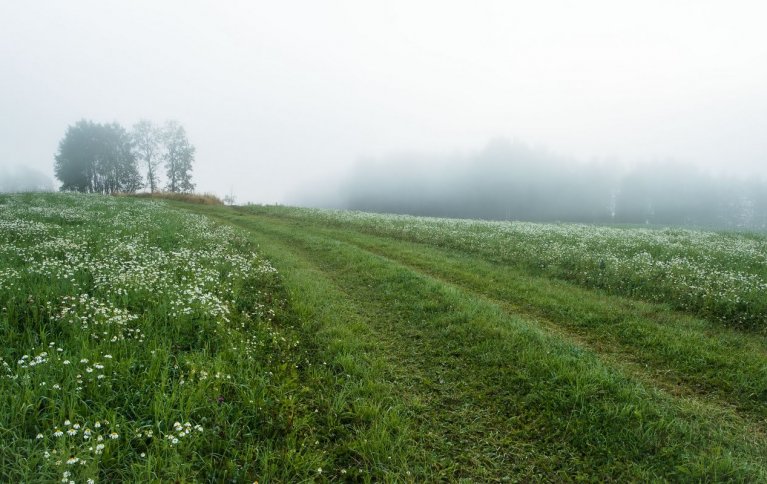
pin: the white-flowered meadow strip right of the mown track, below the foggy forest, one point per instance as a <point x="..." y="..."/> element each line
<point x="718" y="275"/>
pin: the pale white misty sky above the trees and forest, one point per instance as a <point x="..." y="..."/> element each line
<point x="278" y="94"/>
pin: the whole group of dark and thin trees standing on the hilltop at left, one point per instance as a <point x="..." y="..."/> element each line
<point x="107" y="158"/>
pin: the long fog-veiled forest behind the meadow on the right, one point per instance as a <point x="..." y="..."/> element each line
<point x="510" y="181"/>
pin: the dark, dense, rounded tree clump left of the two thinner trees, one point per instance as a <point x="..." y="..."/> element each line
<point x="97" y="158"/>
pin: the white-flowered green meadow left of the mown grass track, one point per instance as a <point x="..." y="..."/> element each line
<point x="140" y="343"/>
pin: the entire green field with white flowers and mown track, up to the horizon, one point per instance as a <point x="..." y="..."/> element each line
<point x="373" y="347"/>
